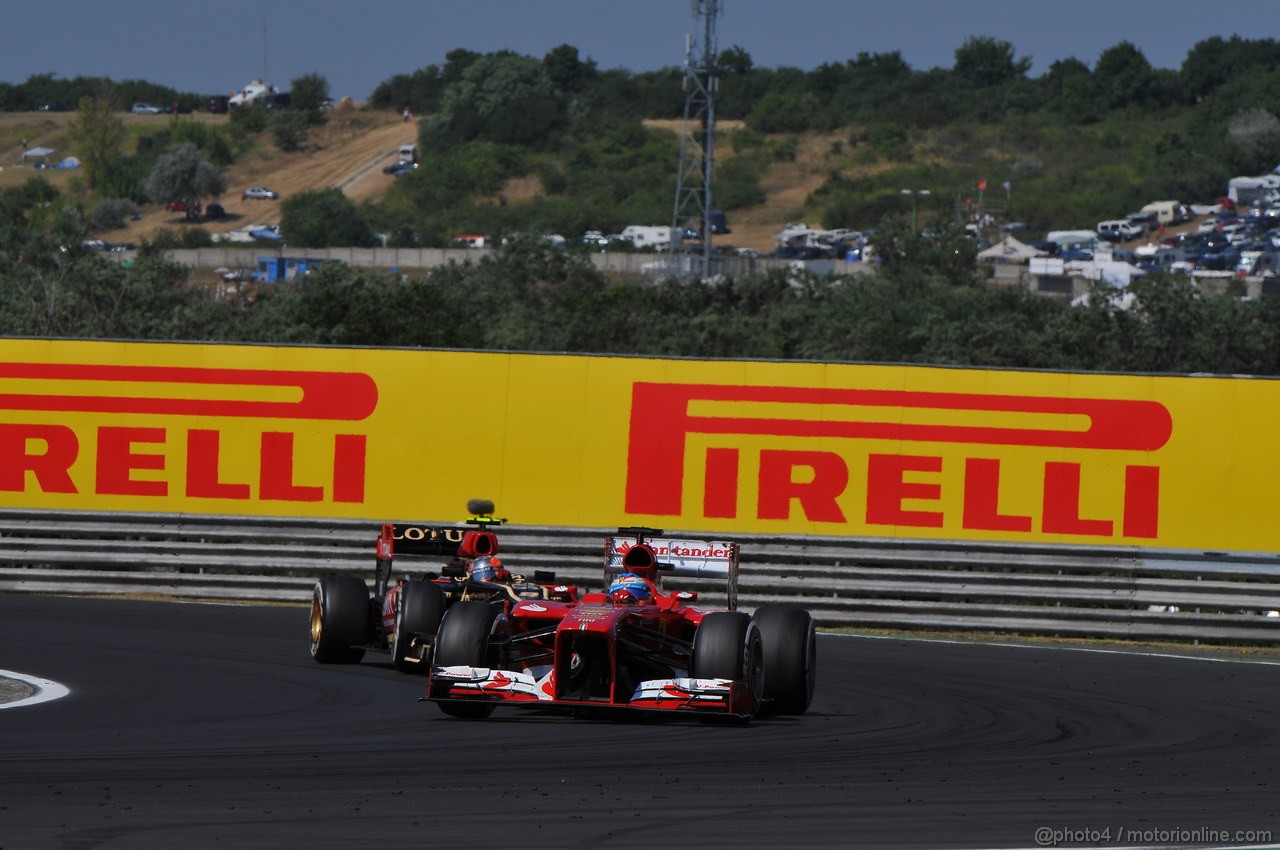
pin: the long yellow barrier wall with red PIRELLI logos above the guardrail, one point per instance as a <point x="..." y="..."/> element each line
<point x="572" y="441"/>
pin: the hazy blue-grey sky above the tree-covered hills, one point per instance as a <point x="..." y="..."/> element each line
<point x="217" y="47"/>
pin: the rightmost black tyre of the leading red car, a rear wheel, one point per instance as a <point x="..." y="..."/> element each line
<point x="790" y="659"/>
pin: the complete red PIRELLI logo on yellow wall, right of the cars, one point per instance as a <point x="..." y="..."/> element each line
<point x="981" y="445"/>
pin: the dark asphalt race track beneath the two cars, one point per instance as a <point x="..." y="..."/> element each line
<point x="207" y="726"/>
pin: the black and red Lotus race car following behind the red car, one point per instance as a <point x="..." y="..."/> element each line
<point x="403" y="618"/>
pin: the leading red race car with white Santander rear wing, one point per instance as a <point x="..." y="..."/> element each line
<point x="634" y="647"/>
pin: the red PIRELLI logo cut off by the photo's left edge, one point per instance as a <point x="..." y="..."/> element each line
<point x="153" y="432"/>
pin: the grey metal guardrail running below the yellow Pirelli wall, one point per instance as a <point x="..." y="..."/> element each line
<point x="1099" y="592"/>
